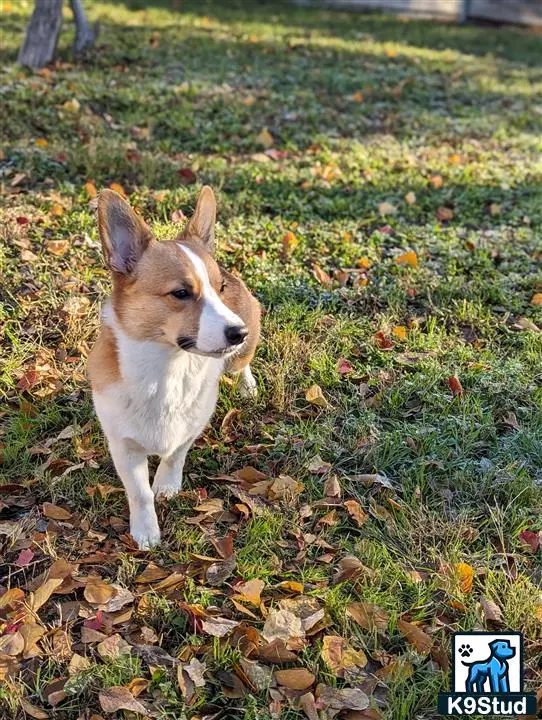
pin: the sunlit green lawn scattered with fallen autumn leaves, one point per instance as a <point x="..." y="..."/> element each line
<point x="379" y="185"/>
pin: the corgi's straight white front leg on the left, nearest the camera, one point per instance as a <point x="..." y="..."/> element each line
<point x="131" y="464"/>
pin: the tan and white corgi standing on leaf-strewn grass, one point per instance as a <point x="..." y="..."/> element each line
<point x="175" y="321"/>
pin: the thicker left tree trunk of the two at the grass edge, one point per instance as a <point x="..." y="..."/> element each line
<point x="42" y="34"/>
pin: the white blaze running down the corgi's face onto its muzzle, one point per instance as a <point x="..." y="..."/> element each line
<point x="215" y="316"/>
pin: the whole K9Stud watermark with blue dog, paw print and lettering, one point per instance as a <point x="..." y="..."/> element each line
<point x="487" y="677"/>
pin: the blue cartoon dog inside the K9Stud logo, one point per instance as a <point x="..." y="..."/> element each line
<point x="494" y="670"/>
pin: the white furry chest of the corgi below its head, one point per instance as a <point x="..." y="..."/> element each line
<point x="165" y="398"/>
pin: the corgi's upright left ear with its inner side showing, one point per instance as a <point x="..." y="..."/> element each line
<point x="124" y="235"/>
